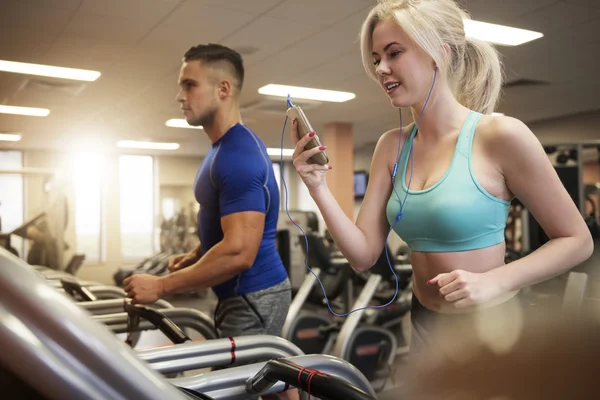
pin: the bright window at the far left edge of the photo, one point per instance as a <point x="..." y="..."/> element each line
<point x="11" y="197"/>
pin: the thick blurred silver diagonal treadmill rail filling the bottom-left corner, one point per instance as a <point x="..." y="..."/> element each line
<point x="57" y="348"/>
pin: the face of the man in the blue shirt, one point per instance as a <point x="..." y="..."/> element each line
<point x="198" y="93"/>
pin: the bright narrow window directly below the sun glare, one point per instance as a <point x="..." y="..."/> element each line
<point x="88" y="178"/>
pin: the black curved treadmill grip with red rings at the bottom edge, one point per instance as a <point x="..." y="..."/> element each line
<point x="323" y="386"/>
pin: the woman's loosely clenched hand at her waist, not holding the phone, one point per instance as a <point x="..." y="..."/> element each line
<point x="463" y="288"/>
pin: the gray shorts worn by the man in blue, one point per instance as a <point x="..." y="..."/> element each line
<point x="258" y="313"/>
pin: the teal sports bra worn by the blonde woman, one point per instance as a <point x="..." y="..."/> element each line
<point x="456" y="213"/>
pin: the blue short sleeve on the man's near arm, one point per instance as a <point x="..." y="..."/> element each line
<point x="242" y="185"/>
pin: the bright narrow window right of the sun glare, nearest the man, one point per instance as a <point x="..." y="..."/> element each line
<point x="136" y="175"/>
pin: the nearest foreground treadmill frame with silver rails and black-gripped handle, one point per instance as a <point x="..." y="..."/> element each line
<point x="55" y="350"/>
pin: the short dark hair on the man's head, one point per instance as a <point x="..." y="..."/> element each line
<point x="215" y="54"/>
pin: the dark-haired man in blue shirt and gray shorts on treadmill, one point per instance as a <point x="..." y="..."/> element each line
<point x="239" y="206"/>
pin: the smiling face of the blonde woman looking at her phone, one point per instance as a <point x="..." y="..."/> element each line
<point x="405" y="72"/>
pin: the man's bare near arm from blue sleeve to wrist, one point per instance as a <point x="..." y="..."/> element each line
<point x="242" y="234"/>
